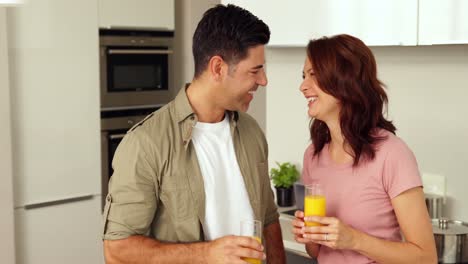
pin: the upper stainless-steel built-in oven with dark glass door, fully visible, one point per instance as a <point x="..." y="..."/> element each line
<point x="136" y="68"/>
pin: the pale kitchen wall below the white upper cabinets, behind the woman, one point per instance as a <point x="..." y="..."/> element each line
<point x="427" y="87"/>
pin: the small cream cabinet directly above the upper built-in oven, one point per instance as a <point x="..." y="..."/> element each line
<point x="141" y="14"/>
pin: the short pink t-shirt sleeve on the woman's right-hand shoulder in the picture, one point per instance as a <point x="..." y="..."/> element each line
<point x="400" y="171"/>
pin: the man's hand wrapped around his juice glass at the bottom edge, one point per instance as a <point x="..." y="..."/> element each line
<point x="231" y="249"/>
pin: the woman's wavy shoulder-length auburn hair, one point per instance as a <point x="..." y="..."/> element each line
<point x="346" y="69"/>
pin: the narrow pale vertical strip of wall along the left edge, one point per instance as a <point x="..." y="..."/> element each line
<point x="7" y="250"/>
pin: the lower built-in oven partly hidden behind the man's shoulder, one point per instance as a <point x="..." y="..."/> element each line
<point x="114" y="126"/>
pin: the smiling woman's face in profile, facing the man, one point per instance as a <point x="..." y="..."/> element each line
<point x="321" y="105"/>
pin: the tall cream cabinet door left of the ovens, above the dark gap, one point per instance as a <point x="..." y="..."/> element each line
<point x="54" y="79"/>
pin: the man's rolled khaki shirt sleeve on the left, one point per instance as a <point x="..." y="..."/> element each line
<point x="131" y="202"/>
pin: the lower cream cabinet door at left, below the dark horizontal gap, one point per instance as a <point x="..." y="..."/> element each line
<point x="66" y="233"/>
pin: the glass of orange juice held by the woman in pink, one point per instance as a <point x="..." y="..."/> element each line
<point x="314" y="202"/>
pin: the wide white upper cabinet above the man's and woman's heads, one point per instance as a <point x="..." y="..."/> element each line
<point x="293" y="23"/>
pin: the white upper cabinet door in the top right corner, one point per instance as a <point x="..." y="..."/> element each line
<point x="443" y="22"/>
